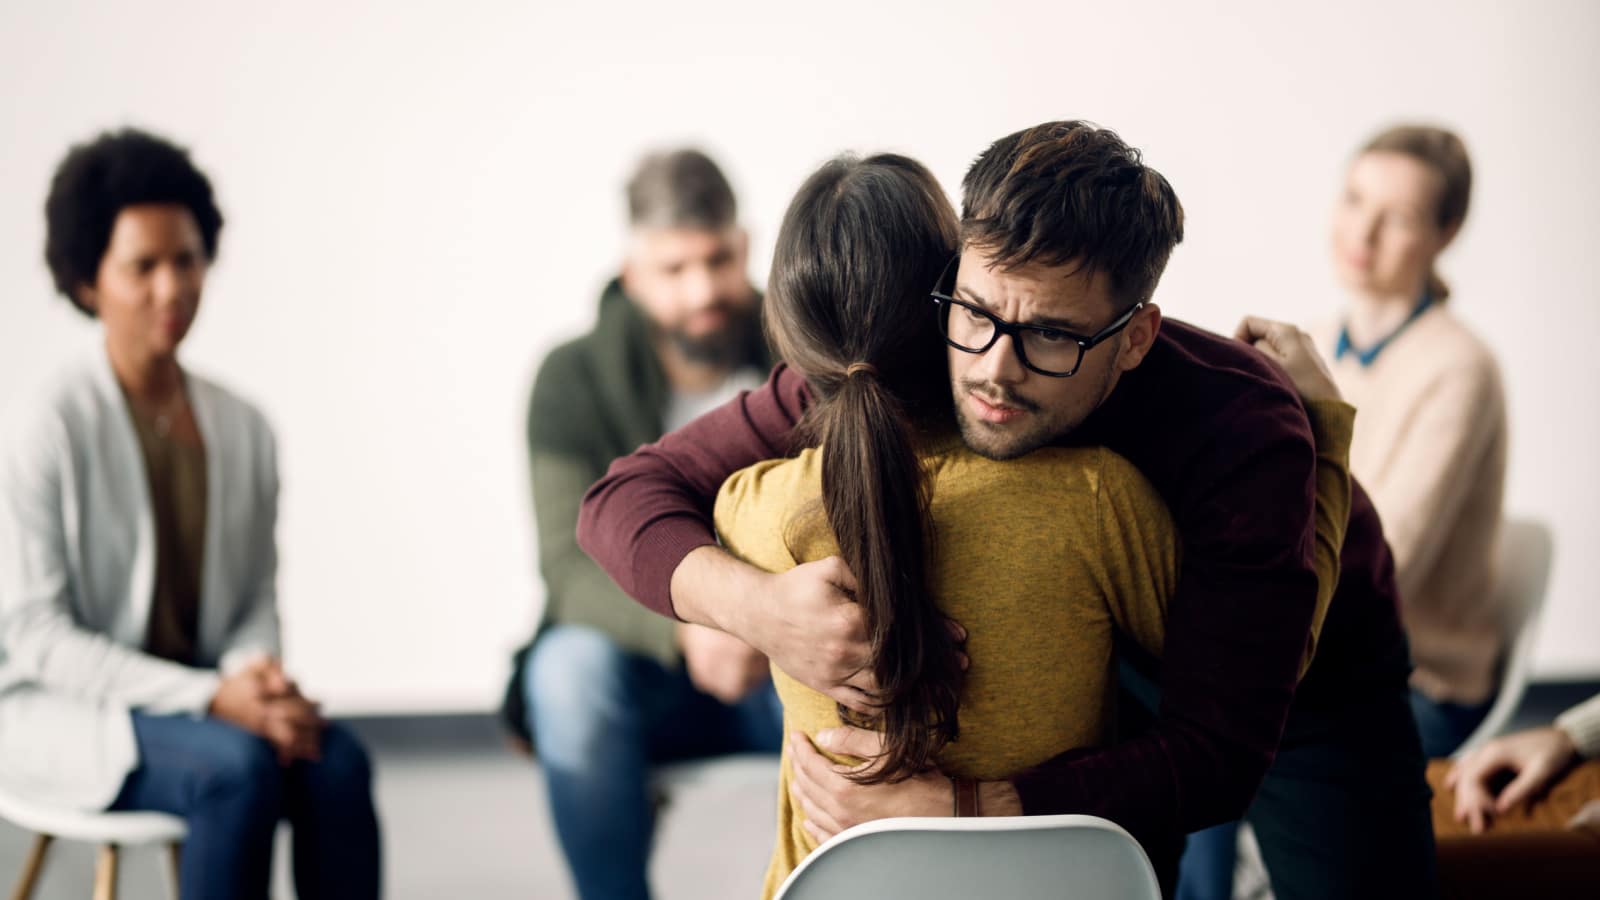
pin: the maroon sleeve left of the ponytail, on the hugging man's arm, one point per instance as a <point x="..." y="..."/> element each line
<point x="654" y="507"/>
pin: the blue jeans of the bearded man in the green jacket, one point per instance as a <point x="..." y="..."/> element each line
<point x="601" y="718"/>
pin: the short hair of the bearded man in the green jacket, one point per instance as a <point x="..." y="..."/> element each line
<point x="681" y="190"/>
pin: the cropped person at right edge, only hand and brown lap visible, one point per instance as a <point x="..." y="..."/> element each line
<point x="1521" y="816"/>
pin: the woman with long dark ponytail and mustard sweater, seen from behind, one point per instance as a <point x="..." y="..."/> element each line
<point x="1041" y="558"/>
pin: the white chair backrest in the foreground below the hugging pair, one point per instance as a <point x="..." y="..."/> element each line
<point x="1076" y="858"/>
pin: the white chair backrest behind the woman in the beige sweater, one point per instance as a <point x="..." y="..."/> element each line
<point x="1522" y="560"/>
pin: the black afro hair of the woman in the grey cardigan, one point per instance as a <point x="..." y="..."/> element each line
<point x="102" y="179"/>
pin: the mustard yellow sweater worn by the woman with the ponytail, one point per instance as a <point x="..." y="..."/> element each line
<point x="1041" y="560"/>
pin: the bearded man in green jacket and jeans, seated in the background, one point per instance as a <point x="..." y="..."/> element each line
<point x="607" y="689"/>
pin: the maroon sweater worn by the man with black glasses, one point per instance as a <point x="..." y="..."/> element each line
<point x="1225" y="440"/>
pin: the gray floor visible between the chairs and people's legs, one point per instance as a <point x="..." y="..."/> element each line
<point x="465" y="818"/>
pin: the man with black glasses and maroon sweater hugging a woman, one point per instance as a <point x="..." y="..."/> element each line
<point x="1055" y="340"/>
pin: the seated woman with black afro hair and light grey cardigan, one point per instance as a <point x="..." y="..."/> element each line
<point x="138" y="609"/>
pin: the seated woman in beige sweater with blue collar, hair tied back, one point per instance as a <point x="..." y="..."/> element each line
<point x="1431" y="448"/>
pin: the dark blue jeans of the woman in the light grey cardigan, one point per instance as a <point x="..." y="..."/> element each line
<point x="228" y="785"/>
